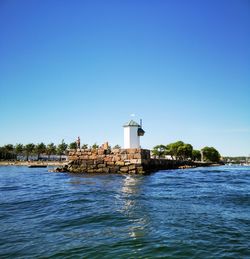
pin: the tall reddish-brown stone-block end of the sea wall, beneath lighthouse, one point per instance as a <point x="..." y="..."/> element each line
<point x="134" y="161"/>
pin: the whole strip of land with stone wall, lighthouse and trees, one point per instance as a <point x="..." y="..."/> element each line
<point x="131" y="159"/>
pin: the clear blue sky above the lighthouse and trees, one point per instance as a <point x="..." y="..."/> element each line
<point x="70" y="68"/>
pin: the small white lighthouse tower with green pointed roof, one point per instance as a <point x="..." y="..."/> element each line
<point x="132" y="133"/>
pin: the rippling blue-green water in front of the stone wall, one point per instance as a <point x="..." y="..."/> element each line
<point x="194" y="213"/>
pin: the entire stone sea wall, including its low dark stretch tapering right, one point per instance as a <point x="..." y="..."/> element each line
<point x="134" y="161"/>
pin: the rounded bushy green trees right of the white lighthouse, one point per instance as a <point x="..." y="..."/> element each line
<point x="184" y="151"/>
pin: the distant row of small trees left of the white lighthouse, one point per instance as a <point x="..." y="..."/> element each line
<point x="10" y="151"/>
